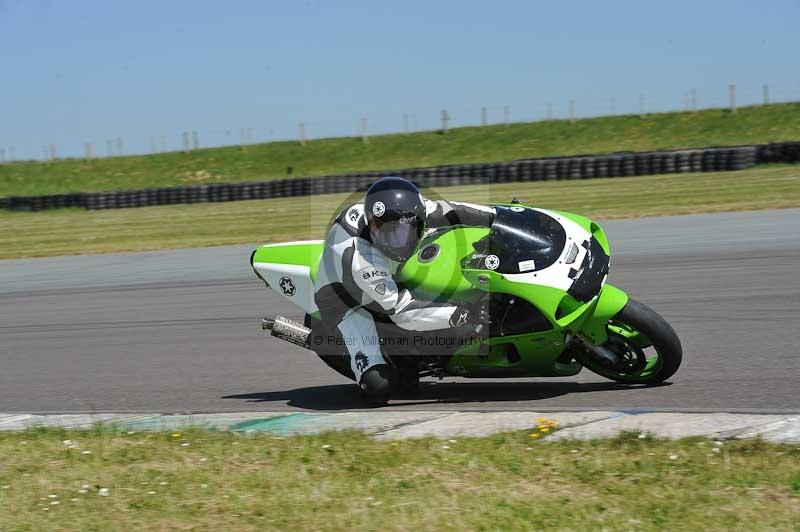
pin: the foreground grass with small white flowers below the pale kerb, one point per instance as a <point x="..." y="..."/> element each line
<point x="347" y="481"/>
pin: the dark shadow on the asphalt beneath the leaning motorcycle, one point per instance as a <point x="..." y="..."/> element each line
<point x="345" y="396"/>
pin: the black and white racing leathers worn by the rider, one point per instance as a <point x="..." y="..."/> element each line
<point x="355" y="283"/>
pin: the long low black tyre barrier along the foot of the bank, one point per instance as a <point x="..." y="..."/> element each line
<point x="712" y="159"/>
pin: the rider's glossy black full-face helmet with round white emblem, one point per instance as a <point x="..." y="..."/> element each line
<point x="395" y="216"/>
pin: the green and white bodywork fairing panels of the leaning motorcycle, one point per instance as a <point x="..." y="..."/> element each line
<point x="438" y="273"/>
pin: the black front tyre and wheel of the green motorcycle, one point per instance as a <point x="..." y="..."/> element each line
<point x="650" y="350"/>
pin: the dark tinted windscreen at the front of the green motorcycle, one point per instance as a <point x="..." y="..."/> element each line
<point x="521" y="240"/>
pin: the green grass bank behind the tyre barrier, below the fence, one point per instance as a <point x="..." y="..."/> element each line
<point x="778" y="122"/>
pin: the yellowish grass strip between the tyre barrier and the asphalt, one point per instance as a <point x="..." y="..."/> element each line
<point x="68" y="232"/>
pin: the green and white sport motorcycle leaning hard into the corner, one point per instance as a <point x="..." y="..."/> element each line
<point x="544" y="274"/>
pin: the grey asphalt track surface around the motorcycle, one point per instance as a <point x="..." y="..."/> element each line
<point x="178" y="331"/>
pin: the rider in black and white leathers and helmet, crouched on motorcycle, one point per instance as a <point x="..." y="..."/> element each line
<point x="364" y="248"/>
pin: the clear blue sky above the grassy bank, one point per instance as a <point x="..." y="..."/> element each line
<point x="145" y="71"/>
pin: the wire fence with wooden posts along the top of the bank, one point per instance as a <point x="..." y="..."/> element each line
<point x="731" y="97"/>
